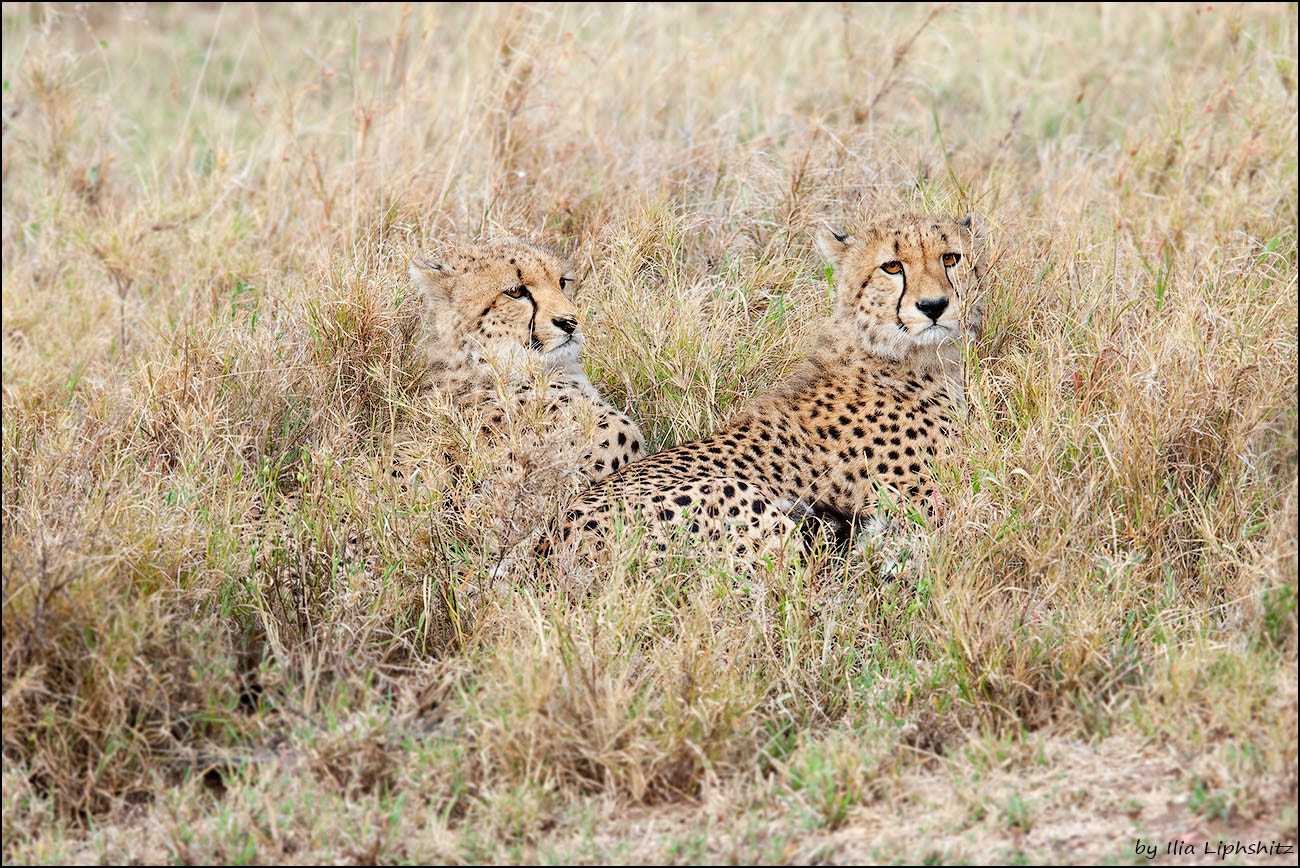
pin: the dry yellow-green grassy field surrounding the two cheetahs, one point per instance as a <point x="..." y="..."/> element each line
<point x="209" y="342"/>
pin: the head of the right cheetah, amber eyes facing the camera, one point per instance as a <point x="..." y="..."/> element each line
<point x="908" y="280"/>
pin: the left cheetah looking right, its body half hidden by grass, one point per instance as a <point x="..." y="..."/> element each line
<point x="504" y="390"/>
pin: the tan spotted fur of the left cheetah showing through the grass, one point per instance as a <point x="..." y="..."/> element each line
<point x="512" y="374"/>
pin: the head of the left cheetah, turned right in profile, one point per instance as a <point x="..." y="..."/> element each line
<point x="501" y="298"/>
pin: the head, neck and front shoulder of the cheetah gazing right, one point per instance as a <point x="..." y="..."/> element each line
<point x="504" y="336"/>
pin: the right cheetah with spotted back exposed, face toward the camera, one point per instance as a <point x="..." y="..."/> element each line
<point x="859" y="420"/>
